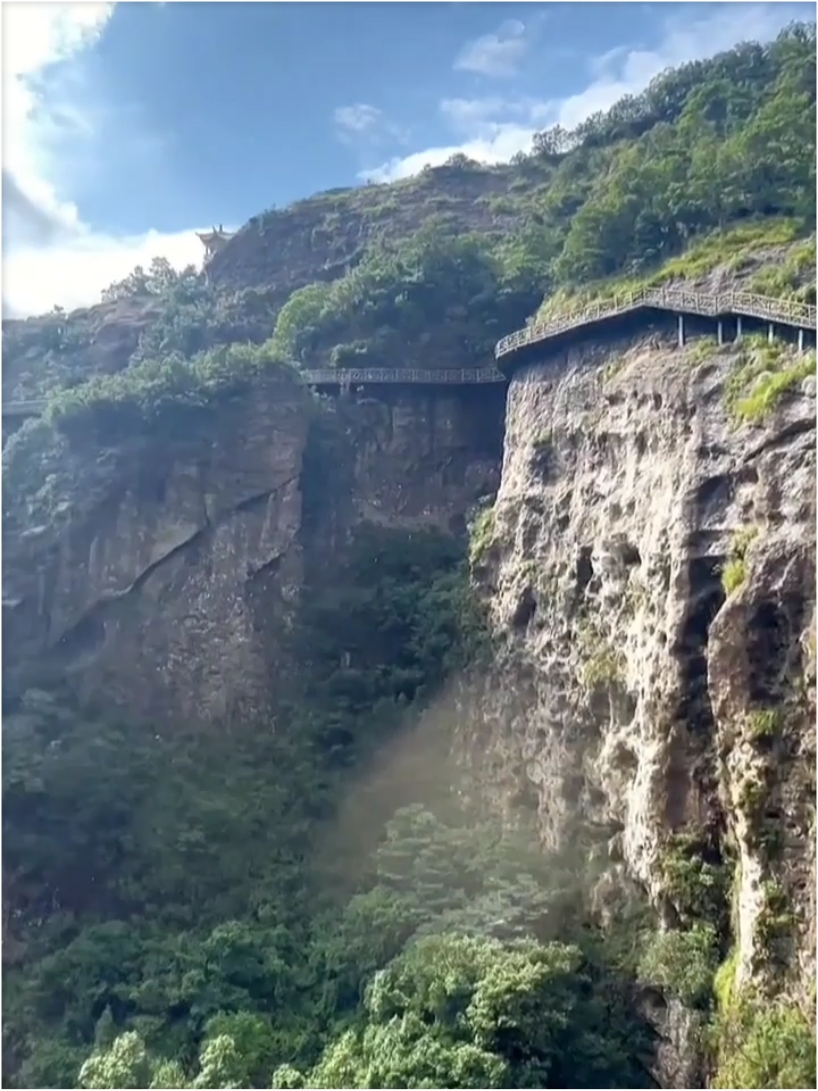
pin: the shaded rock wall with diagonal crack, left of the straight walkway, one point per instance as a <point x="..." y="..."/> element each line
<point x="142" y="586"/>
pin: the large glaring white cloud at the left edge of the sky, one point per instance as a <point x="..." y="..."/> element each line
<point x="51" y="254"/>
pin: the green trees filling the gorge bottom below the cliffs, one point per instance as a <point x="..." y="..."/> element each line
<point x="204" y="910"/>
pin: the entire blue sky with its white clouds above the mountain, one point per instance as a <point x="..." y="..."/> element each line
<point x="127" y="127"/>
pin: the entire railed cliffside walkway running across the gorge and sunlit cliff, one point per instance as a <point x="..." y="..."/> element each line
<point x="728" y="311"/>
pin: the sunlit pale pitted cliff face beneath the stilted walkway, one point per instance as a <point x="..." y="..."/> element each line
<point x="652" y="577"/>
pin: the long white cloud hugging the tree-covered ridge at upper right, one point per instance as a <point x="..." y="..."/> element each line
<point x="494" y="130"/>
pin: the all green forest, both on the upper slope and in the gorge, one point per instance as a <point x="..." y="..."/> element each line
<point x="312" y="902"/>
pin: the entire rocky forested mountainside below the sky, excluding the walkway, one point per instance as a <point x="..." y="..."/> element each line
<point x="318" y="771"/>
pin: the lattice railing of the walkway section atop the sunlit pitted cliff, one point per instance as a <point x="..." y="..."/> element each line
<point x="787" y="313"/>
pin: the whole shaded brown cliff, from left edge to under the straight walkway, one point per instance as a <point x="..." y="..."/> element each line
<point x="159" y="573"/>
